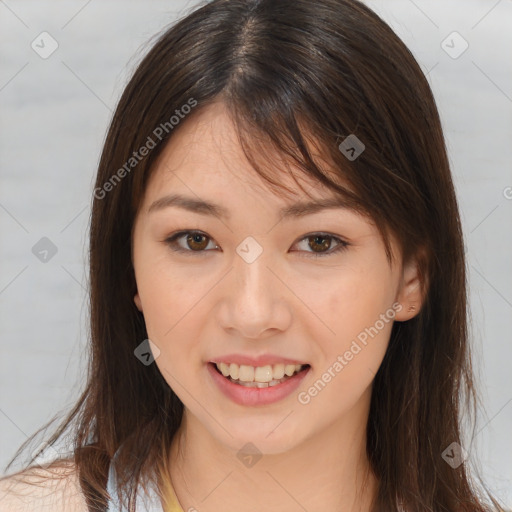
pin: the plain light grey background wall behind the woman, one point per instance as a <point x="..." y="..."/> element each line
<point x="54" y="114"/>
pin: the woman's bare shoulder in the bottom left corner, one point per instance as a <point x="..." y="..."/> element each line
<point x="53" y="489"/>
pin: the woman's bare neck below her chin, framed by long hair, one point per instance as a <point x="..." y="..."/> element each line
<point x="328" y="472"/>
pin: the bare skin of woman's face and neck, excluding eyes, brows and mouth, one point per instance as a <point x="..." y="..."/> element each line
<point x="198" y="306"/>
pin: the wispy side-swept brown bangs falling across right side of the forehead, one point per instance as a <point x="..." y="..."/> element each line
<point x="283" y="144"/>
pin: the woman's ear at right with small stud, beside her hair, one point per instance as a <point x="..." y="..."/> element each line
<point x="411" y="293"/>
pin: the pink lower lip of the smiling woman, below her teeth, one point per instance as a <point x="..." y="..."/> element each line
<point x="256" y="396"/>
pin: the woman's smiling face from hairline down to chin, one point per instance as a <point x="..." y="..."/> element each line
<point x="260" y="292"/>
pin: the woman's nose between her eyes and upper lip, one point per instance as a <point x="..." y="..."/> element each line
<point x="255" y="304"/>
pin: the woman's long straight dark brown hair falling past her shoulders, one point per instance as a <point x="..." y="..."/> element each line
<point x="289" y="71"/>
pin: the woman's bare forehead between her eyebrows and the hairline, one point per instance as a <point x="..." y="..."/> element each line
<point x="205" y="153"/>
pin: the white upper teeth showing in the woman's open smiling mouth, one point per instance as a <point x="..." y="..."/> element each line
<point x="258" y="377"/>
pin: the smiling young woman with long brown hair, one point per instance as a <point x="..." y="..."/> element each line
<point x="278" y="301"/>
